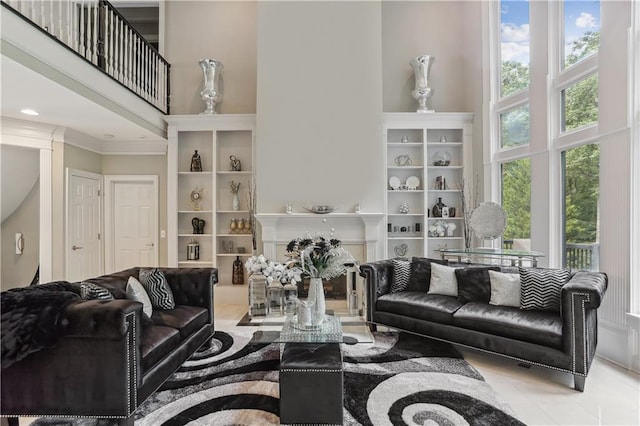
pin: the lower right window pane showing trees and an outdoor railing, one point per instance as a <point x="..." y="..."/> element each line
<point x="580" y="176"/>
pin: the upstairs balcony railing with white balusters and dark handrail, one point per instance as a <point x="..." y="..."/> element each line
<point x="95" y="30"/>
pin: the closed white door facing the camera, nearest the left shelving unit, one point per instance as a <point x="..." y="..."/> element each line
<point x="133" y="224"/>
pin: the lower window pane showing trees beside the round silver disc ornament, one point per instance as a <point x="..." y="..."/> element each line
<point x="516" y="201"/>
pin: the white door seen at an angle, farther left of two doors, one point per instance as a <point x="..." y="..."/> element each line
<point x="84" y="255"/>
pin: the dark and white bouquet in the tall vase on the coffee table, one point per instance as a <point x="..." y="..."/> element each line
<point x="319" y="257"/>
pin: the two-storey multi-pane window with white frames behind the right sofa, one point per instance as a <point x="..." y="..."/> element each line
<point x="555" y="133"/>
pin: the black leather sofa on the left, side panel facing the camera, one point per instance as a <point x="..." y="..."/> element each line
<point x="110" y="358"/>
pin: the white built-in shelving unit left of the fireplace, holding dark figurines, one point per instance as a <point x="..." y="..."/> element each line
<point x="216" y="137"/>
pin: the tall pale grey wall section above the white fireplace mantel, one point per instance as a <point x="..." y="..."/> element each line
<point x="319" y="105"/>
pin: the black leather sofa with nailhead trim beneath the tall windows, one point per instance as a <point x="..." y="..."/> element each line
<point x="564" y="340"/>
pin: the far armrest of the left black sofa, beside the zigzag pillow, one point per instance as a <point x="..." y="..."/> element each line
<point x="193" y="286"/>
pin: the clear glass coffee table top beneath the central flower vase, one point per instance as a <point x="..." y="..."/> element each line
<point x="338" y="327"/>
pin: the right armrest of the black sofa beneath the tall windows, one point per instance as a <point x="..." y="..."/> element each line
<point x="581" y="297"/>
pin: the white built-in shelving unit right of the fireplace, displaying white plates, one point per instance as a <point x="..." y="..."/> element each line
<point x="418" y="137"/>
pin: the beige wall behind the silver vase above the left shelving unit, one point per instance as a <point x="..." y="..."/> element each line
<point x="222" y="30"/>
